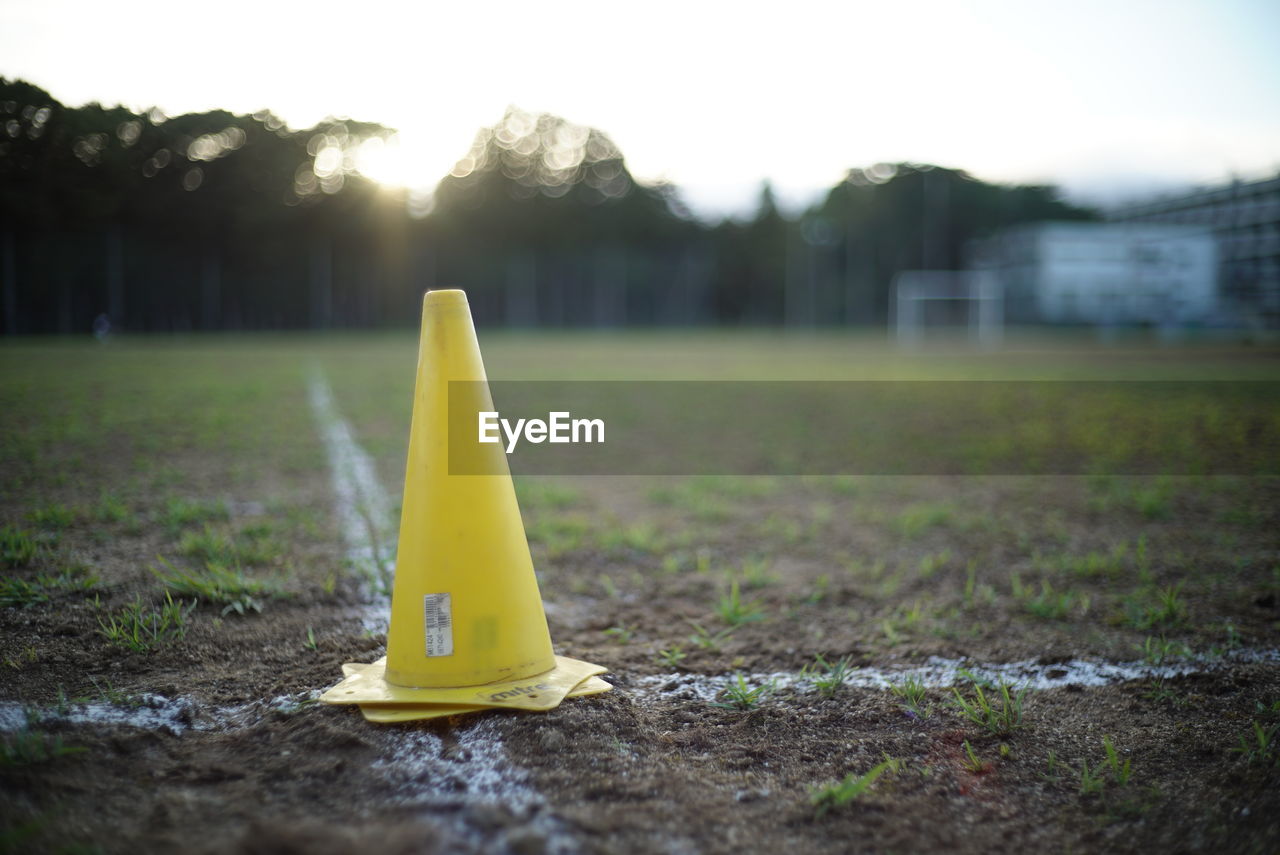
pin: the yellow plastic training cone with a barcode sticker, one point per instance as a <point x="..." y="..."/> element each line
<point x="468" y="629"/>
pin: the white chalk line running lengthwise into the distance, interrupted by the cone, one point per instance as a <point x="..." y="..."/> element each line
<point x="478" y="770"/>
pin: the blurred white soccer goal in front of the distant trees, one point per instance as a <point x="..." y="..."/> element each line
<point x="948" y="300"/>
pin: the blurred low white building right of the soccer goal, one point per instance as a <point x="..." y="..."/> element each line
<point x="1105" y="273"/>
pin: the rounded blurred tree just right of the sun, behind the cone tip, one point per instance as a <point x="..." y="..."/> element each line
<point x="545" y="221"/>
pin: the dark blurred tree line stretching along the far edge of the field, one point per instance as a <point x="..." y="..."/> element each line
<point x="216" y="221"/>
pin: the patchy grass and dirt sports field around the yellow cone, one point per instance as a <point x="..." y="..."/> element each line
<point x="801" y="664"/>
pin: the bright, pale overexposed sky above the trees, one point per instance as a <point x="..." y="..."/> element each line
<point x="1108" y="99"/>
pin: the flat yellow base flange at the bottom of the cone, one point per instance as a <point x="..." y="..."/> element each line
<point x="368" y="685"/>
